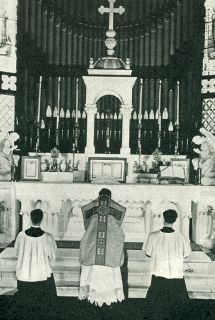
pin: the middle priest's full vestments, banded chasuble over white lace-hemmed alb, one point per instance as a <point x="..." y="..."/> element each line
<point x="101" y="252"/>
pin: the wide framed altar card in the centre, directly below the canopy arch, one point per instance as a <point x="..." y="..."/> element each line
<point x="108" y="168"/>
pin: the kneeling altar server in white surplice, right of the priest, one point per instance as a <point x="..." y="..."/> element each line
<point x="168" y="249"/>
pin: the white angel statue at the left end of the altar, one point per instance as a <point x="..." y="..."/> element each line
<point x="7" y="161"/>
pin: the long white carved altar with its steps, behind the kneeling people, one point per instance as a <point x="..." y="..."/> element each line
<point x="61" y="203"/>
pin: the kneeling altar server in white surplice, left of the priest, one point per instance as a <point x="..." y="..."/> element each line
<point x="35" y="249"/>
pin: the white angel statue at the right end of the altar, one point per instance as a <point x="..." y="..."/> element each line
<point x="206" y="160"/>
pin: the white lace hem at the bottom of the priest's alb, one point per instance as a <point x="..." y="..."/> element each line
<point x="99" y="298"/>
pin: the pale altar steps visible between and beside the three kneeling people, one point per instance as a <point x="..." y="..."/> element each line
<point x="199" y="275"/>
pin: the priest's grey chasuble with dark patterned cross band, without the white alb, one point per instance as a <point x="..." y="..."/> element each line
<point x="103" y="241"/>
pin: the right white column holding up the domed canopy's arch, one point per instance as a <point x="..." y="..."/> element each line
<point x="126" y="116"/>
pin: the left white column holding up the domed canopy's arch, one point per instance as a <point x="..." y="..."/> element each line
<point x="91" y="110"/>
